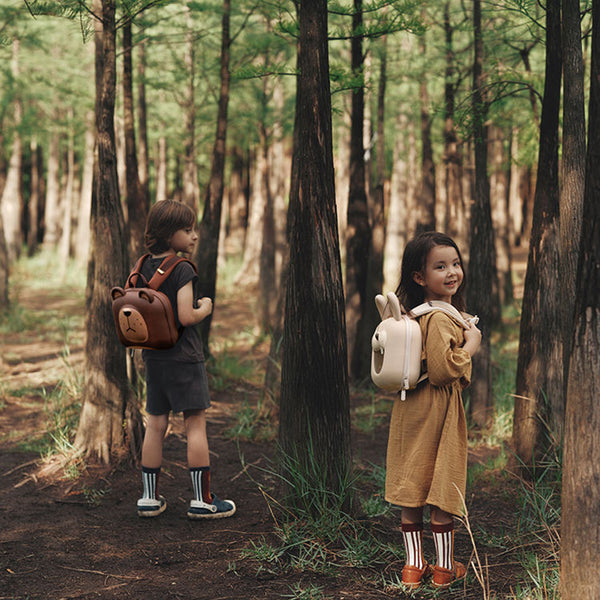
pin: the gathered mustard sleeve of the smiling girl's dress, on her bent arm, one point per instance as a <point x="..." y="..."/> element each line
<point x="447" y="361"/>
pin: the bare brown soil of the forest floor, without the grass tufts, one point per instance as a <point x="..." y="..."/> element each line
<point x="81" y="538"/>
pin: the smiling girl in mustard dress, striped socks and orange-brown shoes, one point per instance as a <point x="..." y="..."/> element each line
<point x="427" y="447"/>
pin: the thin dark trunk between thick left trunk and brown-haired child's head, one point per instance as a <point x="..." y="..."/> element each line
<point x="137" y="207"/>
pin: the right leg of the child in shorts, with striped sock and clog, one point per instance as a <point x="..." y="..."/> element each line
<point x="204" y="505"/>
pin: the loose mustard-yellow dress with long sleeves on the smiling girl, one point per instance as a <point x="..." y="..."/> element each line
<point x="427" y="446"/>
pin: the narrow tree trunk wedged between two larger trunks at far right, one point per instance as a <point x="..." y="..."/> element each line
<point x="572" y="175"/>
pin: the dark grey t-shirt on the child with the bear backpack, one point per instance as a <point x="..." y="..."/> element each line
<point x="189" y="345"/>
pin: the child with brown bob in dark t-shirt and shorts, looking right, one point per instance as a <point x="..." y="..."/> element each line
<point x="176" y="378"/>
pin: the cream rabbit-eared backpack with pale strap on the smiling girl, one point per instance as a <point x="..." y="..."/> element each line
<point x="396" y="345"/>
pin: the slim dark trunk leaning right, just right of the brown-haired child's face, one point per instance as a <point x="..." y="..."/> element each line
<point x="207" y="250"/>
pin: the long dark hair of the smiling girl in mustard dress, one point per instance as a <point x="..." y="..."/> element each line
<point x="409" y="292"/>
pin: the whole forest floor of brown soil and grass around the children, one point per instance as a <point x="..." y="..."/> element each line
<point x="74" y="533"/>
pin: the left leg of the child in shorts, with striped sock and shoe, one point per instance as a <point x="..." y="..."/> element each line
<point x="151" y="504"/>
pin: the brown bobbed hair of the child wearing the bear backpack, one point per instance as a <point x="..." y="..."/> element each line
<point x="164" y="219"/>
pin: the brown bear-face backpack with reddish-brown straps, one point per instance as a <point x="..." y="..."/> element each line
<point x="143" y="315"/>
